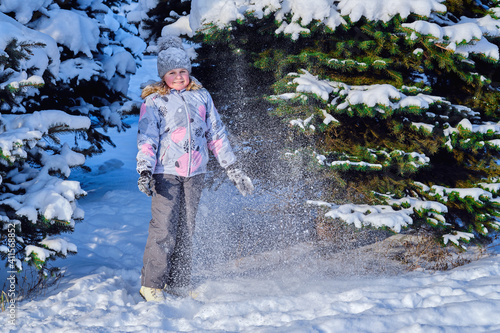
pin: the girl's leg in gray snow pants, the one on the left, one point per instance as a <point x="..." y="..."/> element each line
<point x="162" y="234"/>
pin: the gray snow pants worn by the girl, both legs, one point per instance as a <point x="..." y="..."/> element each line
<point x="167" y="257"/>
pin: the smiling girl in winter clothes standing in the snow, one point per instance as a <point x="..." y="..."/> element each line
<point x="178" y="124"/>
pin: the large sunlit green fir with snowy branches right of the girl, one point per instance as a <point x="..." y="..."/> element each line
<point x="397" y="98"/>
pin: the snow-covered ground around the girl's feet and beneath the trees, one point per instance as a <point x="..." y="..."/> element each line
<point x="290" y="289"/>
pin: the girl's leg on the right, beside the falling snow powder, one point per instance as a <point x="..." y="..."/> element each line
<point x="180" y="271"/>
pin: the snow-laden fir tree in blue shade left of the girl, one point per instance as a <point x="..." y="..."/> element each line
<point x="64" y="73"/>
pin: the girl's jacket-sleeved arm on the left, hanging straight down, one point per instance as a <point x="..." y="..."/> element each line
<point x="148" y="137"/>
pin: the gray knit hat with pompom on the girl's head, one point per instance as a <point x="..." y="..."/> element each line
<point x="171" y="55"/>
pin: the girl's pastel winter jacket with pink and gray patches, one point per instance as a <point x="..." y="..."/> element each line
<point x="177" y="130"/>
